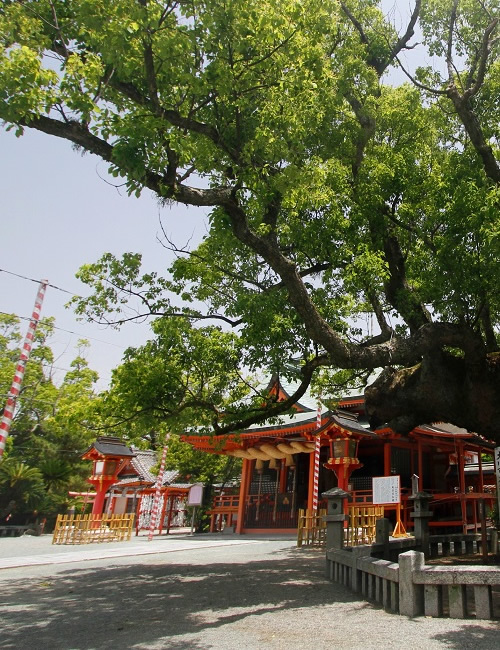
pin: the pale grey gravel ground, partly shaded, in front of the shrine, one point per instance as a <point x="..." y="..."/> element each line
<point x="262" y="594"/>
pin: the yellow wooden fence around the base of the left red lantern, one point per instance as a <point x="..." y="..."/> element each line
<point x="87" y="529"/>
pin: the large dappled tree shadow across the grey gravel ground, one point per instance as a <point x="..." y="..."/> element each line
<point x="122" y="605"/>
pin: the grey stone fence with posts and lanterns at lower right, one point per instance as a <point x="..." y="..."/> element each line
<point x="394" y="574"/>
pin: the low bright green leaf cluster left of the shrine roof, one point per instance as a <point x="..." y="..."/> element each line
<point x="186" y="378"/>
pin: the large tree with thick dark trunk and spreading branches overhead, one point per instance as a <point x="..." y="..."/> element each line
<point x="333" y="193"/>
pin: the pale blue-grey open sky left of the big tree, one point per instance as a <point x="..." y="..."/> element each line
<point x="57" y="212"/>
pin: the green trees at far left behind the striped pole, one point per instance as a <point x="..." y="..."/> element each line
<point x="52" y="425"/>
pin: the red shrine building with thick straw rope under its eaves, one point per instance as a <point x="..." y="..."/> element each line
<point x="278" y="467"/>
